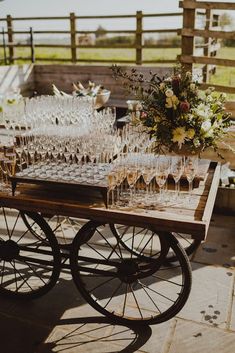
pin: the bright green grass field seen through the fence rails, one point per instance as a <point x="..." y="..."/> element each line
<point x="223" y="75"/>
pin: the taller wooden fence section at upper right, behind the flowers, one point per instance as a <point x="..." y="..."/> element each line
<point x="189" y="31"/>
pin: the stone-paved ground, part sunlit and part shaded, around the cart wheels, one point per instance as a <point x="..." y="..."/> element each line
<point x="61" y="321"/>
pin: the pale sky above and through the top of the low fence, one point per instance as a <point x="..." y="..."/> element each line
<point x="27" y="8"/>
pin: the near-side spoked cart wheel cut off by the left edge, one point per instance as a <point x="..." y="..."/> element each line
<point x="30" y="262"/>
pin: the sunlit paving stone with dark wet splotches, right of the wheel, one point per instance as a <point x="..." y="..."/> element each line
<point x="210" y="296"/>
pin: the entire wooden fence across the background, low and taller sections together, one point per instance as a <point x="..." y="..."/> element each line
<point x="192" y="55"/>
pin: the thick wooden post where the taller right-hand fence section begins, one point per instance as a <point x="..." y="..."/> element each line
<point x="187" y="43"/>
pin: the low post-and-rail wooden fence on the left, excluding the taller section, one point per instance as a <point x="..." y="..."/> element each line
<point x="9" y="35"/>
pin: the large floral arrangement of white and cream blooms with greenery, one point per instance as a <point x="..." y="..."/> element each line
<point x="177" y="115"/>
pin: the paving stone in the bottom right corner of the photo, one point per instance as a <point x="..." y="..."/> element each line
<point x="195" y="338"/>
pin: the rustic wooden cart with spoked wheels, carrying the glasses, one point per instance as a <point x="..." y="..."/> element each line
<point x="128" y="264"/>
